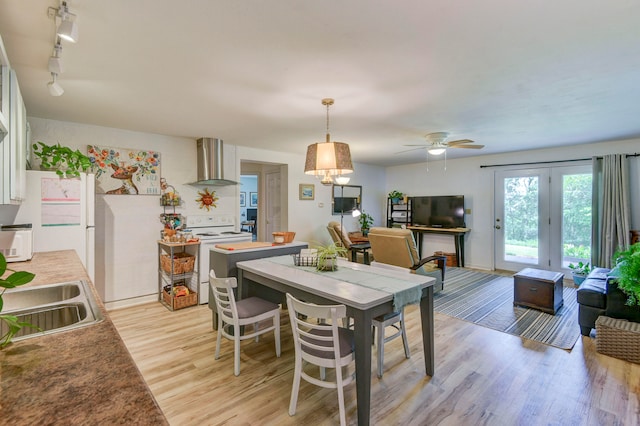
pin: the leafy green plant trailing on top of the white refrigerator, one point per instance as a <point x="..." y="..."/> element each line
<point x="65" y="161"/>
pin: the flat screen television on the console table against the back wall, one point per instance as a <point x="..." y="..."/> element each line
<point x="443" y="211"/>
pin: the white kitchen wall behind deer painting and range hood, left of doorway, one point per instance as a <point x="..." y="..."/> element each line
<point x="128" y="226"/>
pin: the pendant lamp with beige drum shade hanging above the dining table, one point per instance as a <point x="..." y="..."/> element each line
<point x="328" y="158"/>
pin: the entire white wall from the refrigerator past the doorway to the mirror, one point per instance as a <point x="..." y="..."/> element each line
<point x="177" y="163"/>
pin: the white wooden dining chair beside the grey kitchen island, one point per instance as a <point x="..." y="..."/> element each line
<point x="232" y="315"/>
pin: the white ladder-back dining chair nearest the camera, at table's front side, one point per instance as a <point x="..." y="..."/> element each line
<point x="322" y="344"/>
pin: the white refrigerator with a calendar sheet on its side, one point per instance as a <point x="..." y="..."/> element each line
<point x="62" y="213"/>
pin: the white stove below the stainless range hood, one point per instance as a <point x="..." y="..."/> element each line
<point x="212" y="230"/>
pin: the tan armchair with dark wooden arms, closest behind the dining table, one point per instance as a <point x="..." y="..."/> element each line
<point x="395" y="246"/>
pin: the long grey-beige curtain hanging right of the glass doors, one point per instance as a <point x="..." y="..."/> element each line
<point x="610" y="208"/>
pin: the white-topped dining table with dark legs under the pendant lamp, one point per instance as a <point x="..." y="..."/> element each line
<point x="271" y="278"/>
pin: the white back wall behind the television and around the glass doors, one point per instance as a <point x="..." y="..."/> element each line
<point x="465" y="177"/>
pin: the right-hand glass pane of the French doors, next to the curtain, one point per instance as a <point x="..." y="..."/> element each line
<point x="576" y="218"/>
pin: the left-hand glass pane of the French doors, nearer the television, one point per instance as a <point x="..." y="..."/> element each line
<point x="521" y="219"/>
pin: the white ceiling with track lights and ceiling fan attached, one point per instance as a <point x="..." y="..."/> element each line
<point x="508" y="74"/>
